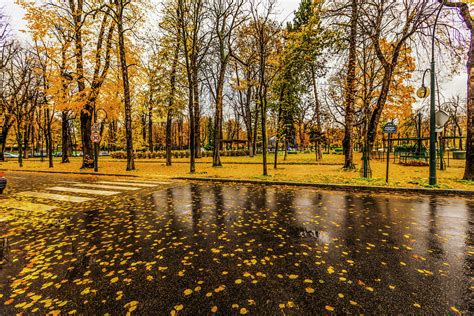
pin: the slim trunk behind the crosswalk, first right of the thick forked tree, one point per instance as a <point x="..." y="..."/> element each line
<point x="126" y="89"/>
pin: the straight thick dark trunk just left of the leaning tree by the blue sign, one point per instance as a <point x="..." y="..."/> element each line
<point x="348" y="142"/>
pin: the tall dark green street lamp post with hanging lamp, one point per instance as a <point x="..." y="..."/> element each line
<point x="423" y="93"/>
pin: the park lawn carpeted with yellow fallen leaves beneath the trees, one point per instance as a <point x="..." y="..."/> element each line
<point x="400" y="176"/>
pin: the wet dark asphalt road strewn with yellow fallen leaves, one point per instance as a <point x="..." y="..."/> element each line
<point x="189" y="248"/>
